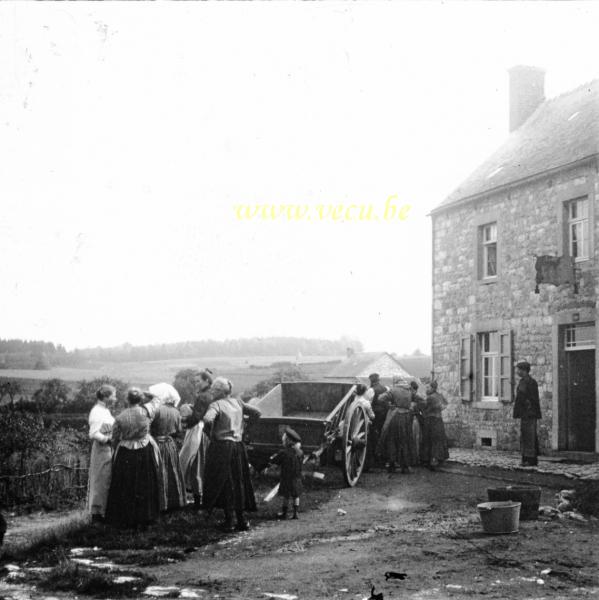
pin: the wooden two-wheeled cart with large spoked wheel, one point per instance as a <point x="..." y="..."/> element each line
<point x="332" y="425"/>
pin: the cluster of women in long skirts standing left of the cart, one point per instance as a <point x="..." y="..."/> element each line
<point x="137" y="471"/>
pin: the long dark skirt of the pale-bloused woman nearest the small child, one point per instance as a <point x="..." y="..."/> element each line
<point x="227" y="482"/>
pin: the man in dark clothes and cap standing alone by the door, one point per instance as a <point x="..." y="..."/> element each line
<point x="527" y="408"/>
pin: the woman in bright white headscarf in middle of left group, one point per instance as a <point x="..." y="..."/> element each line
<point x="166" y="424"/>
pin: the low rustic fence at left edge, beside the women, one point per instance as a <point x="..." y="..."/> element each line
<point x="55" y="486"/>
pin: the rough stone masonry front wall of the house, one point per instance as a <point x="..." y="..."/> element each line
<point x="529" y="222"/>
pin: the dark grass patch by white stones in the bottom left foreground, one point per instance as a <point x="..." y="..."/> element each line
<point x="67" y="577"/>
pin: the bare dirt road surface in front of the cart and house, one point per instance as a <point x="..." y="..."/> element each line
<point x="424" y="524"/>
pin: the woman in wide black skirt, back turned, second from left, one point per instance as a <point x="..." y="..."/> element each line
<point x="134" y="497"/>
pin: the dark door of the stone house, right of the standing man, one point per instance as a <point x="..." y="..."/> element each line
<point x="580" y="401"/>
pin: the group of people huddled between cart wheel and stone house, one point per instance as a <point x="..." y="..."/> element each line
<point x="405" y="429"/>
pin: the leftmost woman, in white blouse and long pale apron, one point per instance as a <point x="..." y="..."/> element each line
<point x="100" y="462"/>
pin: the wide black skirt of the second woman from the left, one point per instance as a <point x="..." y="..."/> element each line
<point x="134" y="497"/>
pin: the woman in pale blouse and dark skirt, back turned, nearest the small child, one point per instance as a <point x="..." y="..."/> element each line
<point x="227" y="482"/>
